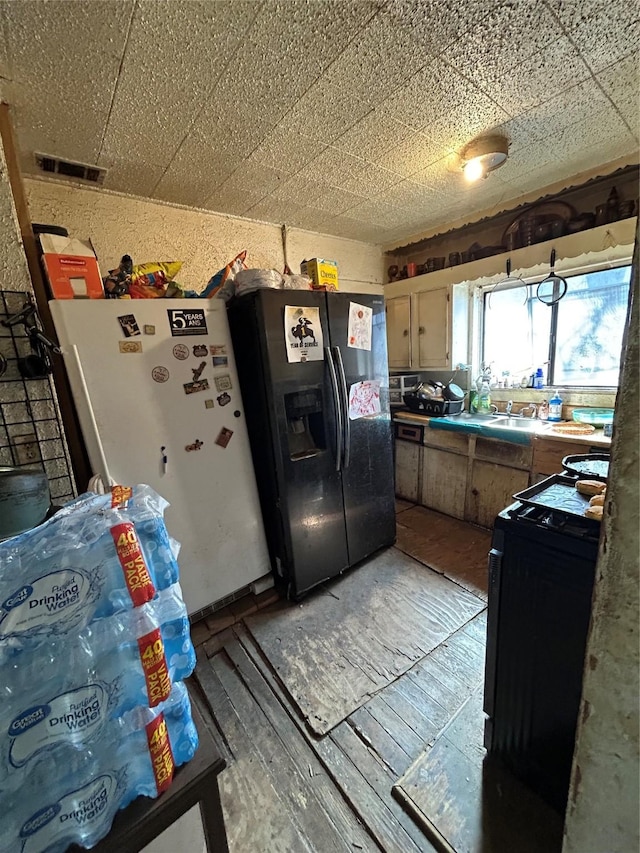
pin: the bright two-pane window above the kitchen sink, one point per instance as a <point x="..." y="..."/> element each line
<point x="578" y="340"/>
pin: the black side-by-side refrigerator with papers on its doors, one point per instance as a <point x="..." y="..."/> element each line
<point x="324" y="469"/>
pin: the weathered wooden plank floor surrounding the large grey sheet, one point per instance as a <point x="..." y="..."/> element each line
<point x="355" y="788"/>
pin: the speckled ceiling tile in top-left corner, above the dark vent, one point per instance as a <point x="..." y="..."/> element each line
<point x="64" y="60"/>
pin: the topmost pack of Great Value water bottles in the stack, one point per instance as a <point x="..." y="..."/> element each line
<point x="88" y="561"/>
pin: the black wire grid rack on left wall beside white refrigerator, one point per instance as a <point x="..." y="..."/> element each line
<point x="31" y="431"/>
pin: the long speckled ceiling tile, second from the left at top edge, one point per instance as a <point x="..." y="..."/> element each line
<point x="153" y="108"/>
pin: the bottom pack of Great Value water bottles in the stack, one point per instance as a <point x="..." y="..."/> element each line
<point x="75" y="802"/>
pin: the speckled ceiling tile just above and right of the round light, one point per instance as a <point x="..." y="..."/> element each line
<point x="540" y="77"/>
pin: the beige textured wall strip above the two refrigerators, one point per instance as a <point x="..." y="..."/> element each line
<point x="205" y="242"/>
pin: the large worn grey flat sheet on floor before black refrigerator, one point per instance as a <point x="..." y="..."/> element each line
<point x="333" y="652"/>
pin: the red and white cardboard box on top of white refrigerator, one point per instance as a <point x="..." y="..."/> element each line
<point x="72" y="268"/>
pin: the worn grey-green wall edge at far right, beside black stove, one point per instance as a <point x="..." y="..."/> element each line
<point x="602" y="815"/>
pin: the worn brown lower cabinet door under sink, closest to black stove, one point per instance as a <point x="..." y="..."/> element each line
<point x="492" y="489"/>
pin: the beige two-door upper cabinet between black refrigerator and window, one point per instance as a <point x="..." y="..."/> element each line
<point x="429" y="329"/>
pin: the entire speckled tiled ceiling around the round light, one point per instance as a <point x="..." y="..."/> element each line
<point x="346" y="116"/>
